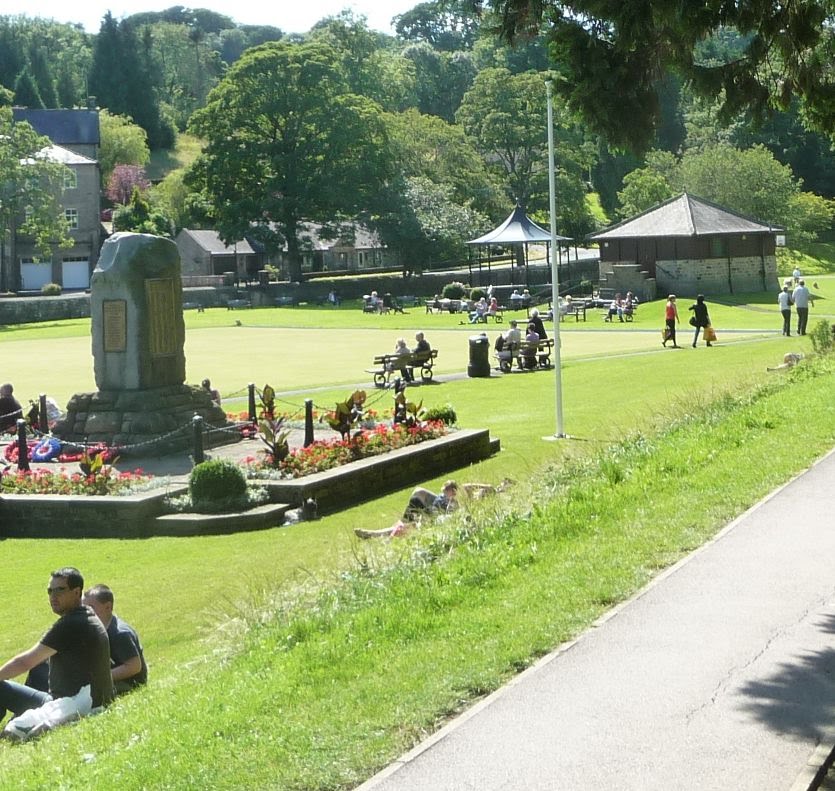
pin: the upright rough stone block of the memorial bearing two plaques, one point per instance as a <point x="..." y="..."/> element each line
<point x="137" y="317"/>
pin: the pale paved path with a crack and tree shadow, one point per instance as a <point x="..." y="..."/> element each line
<point x="720" y="675"/>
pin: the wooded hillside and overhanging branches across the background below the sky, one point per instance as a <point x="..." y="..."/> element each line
<point x="430" y="136"/>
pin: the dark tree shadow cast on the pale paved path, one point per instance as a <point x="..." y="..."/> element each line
<point x="798" y="698"/>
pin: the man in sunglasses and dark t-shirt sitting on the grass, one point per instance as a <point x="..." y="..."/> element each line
<point x="76" y="646"/>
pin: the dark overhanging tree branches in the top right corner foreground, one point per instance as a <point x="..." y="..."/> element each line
<point x="611" y="55"/>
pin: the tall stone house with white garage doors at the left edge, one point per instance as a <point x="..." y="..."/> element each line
<point x="75" y="137"/>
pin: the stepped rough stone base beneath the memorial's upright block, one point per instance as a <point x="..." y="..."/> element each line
<point x="151" y="422"/>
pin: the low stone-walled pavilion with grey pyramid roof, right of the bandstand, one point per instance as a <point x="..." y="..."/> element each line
<point x="687" y="245"/>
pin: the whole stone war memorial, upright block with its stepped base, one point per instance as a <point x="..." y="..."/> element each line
<point x="142" y="403"/>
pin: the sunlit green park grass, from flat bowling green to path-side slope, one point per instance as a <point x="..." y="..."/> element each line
<point x="258" y="711"/>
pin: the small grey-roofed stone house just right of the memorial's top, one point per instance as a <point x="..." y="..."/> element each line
<point x="205" y="258"/>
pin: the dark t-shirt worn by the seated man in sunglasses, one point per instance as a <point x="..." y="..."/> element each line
<point x="82" y="656"/>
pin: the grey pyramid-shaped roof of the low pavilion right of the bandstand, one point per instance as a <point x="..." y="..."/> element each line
<point x="684" y="215"/>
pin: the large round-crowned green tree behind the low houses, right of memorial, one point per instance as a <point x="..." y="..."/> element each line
<point x="287" y="143"/>
